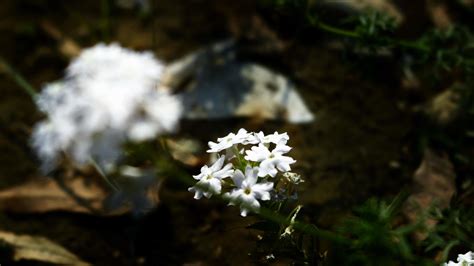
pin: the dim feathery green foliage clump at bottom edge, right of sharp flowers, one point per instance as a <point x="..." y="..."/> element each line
<point x="376" y="238"/>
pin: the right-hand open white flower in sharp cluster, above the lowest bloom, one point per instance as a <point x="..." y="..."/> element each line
<point x="270" y="161"/>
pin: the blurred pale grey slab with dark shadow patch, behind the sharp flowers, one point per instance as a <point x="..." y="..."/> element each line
<point x="213" y="84"/>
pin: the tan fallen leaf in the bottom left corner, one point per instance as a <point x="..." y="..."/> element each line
<point x="38" y="249"/>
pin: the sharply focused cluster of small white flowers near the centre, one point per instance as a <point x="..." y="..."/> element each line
<point x="256" y="165"/>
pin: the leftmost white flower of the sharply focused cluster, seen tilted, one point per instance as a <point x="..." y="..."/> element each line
<point x="210" y="179"/>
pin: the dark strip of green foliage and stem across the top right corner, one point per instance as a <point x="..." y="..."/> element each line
<point x="449" y="49"/>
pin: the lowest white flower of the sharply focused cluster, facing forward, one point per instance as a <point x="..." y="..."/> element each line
<point x="248" y="191"/>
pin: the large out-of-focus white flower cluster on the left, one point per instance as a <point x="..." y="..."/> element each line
<point x="109" y="96"/>
